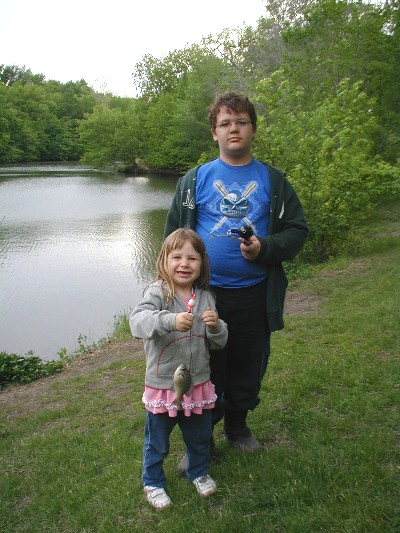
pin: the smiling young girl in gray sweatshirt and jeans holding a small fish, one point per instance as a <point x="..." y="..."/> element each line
<point x="178" y="322"/>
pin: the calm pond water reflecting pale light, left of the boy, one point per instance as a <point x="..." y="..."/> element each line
<point x="77" y="247"/>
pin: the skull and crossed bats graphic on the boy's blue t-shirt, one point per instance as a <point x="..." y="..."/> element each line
<point x="234" y="204"/>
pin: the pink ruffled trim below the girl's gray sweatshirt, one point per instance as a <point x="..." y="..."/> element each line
<point x="161" y="400"/>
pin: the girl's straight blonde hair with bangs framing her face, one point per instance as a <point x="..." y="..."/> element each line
<point x="175" y="241"/>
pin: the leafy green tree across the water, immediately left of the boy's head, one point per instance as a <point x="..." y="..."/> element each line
<point x="175" y="125"/>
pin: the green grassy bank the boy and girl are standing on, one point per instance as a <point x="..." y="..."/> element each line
<point x="328" y="419"/>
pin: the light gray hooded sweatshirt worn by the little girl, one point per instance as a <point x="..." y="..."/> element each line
<point x="154" y="321"/>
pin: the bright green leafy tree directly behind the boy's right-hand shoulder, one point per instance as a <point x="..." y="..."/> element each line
<point x="328" y="153"/>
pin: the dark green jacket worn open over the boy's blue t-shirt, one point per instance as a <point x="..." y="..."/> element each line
<point x="287" y="232"/>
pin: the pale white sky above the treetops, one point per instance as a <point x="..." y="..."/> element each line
<point x="102" y="41"/>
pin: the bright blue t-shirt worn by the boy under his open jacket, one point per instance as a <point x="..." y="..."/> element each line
<point x="226" y="198"/>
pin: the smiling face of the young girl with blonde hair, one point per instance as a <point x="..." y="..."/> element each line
<point x="184" y="265"/>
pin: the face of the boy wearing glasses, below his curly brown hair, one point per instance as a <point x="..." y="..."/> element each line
<point x="234" y="138"/>
